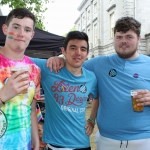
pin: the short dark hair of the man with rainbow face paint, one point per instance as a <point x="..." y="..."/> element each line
<point x="20" y="13"/>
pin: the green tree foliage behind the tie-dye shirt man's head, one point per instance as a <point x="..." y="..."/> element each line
<point x="38" y="7"/>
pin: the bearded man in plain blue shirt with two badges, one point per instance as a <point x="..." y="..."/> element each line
<point x="117" y="74"/>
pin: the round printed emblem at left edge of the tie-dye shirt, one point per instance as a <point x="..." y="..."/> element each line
<point x="3" y="123"/>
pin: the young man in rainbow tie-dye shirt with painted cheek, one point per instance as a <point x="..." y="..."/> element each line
<point x="18" y="119"/>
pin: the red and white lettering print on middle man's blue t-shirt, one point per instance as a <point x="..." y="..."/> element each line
<point x="70" y="97"/>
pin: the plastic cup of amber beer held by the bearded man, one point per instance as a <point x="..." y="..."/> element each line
<point x="134" y="103"/>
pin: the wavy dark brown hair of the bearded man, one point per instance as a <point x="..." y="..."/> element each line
<point x="125" y="24"/>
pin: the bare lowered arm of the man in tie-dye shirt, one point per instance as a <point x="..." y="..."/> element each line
<point x="34" y="127"/>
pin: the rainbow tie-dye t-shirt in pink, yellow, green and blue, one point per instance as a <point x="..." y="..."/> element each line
<point x="18" y="109"/>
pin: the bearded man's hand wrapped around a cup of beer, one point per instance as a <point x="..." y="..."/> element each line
<point x="143" y="98"/>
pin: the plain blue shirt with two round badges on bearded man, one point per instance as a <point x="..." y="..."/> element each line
<point x="116" y="77"/>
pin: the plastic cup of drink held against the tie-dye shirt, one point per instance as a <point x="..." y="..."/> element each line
<point x="26" y="68"/>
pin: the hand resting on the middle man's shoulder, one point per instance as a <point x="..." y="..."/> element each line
<point x="55" y="63"/>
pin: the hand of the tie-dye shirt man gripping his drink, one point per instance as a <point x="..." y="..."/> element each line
<point x="13" y="86"/>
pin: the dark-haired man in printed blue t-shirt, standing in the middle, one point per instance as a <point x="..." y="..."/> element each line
<point x="66" y="93"/>
